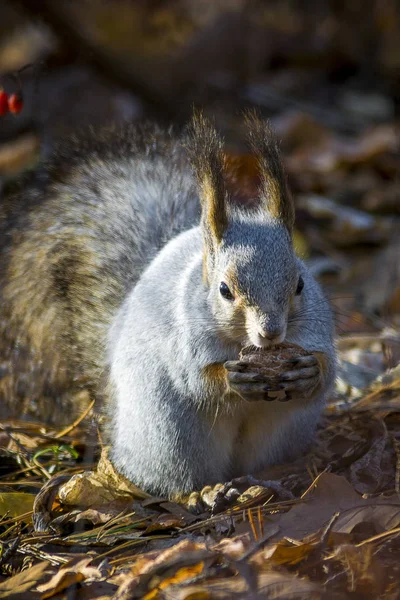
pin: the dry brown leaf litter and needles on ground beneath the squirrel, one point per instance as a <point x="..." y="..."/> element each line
<point x="95" y="532"/>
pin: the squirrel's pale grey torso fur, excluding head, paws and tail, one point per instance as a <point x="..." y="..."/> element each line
<point x="212" y="439"/>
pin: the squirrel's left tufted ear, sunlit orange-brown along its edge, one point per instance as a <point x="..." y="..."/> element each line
<point x="205" y="152"/>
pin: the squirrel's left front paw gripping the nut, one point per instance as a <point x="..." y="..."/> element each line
<point x="245" y="380"/>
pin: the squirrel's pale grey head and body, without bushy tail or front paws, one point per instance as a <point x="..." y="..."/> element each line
<point x="174" y="408"/>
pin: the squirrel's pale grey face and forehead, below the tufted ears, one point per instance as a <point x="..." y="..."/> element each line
<point x="257" y="261"/>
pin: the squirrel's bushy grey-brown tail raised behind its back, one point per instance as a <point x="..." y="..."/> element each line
<point x="74" y="240"/>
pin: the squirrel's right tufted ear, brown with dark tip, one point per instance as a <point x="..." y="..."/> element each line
<point x="274" y="192"/>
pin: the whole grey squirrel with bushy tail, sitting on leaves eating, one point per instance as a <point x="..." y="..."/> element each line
<point x="130" y="272"/>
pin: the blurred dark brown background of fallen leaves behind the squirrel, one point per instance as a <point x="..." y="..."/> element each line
<point x="327" y="75"/>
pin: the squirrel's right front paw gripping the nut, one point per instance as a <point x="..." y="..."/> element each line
<point x="302" y="376"/>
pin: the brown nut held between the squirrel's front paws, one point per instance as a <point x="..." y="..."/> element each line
<point x="271" y="362"/>
